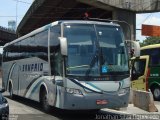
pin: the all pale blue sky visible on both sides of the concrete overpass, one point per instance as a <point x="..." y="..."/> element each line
<point x="8" y="12"/>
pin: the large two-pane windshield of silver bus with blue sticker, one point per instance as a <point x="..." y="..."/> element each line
<point x="95" y="50"/>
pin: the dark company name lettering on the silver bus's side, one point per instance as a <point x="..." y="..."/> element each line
<point x="32" y="67"/>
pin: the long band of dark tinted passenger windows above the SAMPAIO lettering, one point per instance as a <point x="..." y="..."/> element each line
<point x="34" y="46"/>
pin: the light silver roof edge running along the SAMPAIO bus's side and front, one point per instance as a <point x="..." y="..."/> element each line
<point x="59" y="22"/>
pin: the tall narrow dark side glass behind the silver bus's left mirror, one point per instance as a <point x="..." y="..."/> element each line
<point x="55" y="55"/>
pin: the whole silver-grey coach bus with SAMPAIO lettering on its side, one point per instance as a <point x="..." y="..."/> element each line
<point x="69" y="65"/>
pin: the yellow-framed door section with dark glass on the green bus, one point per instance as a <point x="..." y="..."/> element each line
<point x="139" y="73"/>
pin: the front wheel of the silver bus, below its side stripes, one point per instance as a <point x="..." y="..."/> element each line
<point x="44" y="101"/>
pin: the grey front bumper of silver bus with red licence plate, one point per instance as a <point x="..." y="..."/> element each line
<point x="93" y="101"/>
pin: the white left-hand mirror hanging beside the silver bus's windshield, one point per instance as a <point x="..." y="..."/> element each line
<point x="63" y="45"/>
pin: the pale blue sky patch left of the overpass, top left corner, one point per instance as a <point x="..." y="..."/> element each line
<point x="8" y="10"/>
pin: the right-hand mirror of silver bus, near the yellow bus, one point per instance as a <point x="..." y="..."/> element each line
<point x="134" y="48"/>
